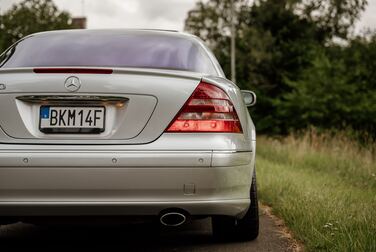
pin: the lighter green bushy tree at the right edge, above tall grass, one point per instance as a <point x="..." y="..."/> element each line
<point x="328" y="95"/>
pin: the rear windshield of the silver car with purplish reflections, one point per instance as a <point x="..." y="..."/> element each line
<point x="106" y="49"/>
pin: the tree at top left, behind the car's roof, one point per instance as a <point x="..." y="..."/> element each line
<point x="28" y="17"/>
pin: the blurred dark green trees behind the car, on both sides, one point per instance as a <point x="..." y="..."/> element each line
<point x="301" y="57"/>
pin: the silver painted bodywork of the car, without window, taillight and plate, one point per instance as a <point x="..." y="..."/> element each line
<point x="135" y="167"/>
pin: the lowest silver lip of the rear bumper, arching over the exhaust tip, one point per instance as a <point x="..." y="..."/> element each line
<point x="235" y="207"/>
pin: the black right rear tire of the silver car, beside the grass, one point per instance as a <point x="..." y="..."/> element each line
<point x="245" y="229"/>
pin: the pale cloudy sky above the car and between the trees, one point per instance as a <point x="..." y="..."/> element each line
<point x="156" y="14"/>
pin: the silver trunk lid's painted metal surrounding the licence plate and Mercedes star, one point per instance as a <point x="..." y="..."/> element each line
<point x="148" y="104"/>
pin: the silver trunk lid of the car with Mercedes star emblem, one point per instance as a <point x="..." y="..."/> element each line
<point x="139" y="104"/>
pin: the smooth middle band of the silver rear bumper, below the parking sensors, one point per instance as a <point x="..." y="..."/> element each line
<point x="123" y="183"/>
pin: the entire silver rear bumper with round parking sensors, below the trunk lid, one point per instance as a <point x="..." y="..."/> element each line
<point x="67" y="183"/>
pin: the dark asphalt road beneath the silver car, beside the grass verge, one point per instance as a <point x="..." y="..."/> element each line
<point x="195" y="236"/>
